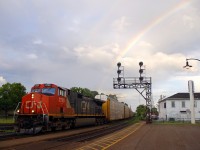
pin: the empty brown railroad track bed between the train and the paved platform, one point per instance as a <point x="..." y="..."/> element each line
<point x="60" y="139"/>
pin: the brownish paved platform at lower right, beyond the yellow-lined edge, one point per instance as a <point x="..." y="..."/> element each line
<point x="161" y="137"/>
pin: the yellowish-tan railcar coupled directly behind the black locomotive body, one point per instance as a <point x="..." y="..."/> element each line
<point x="113" y="109"/>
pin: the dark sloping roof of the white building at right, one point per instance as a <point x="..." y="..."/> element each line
<point x="181" y="96"/>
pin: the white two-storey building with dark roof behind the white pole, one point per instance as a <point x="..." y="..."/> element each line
<point x="177" y="107"/>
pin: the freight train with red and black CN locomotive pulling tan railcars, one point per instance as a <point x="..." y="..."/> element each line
<point x="51" y="107"/>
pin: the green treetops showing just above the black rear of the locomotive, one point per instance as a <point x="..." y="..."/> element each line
<point x="84" y="91"/>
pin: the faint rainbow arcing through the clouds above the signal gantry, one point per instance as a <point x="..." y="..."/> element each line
<point x="153" y="23"/>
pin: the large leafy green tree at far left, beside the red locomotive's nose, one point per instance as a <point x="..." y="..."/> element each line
<point x="10" y="95"/>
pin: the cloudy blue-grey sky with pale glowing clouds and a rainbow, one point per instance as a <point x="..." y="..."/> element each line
<point x="79" y="43"/>
